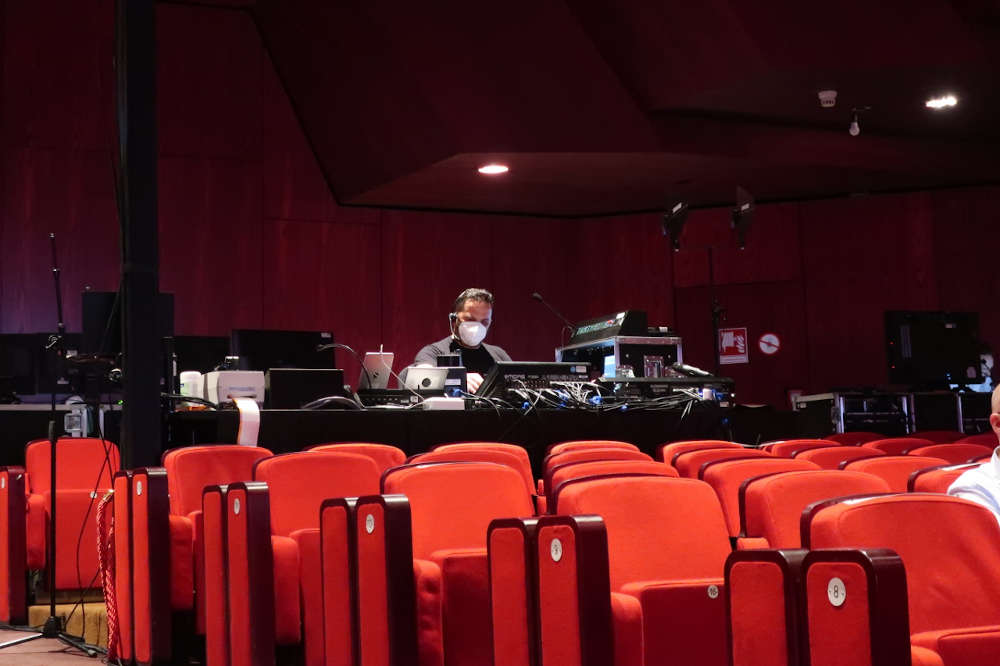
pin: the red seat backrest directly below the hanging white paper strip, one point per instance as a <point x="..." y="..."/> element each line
<point x="191" y="468"/>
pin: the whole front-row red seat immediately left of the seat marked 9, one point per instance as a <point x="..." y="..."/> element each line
<point x="422" y="574"/>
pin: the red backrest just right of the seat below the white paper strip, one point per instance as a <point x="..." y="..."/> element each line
<point x="299" y="482"/>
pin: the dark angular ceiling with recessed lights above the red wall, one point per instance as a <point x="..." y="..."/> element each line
<point x="609" y="106"/>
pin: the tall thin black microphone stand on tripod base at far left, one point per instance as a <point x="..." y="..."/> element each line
<point x="53" y="627"/>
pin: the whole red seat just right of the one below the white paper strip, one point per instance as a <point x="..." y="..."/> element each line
<point x="297" y="485"/>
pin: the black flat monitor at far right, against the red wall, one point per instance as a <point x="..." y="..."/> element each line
<point x="930" y="349"/>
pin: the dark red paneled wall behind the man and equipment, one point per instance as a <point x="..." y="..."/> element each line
<point x="250" y="236"/>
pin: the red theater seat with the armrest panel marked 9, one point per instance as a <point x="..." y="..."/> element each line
<point x="663" y="564"/>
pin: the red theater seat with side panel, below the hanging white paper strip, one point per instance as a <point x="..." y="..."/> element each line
<point x="160" y="537"/>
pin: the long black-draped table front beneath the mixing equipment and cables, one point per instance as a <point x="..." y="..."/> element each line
<point x="415" y="431"/>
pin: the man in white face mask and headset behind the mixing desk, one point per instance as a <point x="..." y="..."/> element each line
<point x="469" y="320"/>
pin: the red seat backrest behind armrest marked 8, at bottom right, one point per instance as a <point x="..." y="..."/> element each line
<point x="949" y="546"/>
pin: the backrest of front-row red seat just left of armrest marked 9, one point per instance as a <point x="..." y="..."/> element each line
<point x="452" y="504"/>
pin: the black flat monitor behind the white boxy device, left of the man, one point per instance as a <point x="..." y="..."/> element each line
<point x="263" y="349"/>
